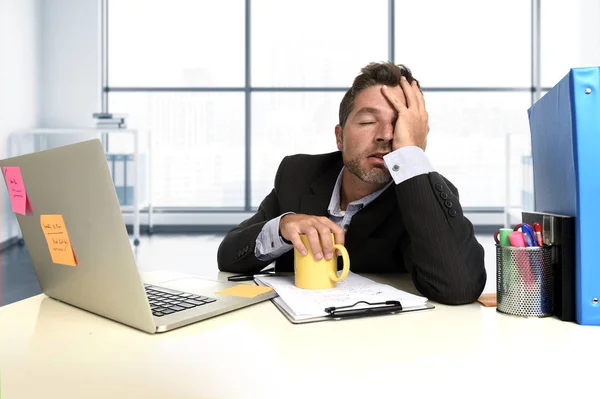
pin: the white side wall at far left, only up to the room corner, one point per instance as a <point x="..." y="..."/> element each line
<point x="19" y="82"/>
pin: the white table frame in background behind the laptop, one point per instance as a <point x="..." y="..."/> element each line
<point x="40" y="137"/>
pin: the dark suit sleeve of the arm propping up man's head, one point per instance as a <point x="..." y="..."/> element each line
<point x="442" y="254"/>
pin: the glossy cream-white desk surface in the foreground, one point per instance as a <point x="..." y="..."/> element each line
<point x="52" y="350"/>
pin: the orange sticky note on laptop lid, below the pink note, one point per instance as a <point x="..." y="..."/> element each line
<point x="58" y="240"/>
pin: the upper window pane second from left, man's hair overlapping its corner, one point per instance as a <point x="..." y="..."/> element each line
<point x="315" y="42"/>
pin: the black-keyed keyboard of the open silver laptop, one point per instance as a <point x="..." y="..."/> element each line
<point x="165" y="301"/>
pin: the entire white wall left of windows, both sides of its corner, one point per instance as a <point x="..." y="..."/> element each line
<point x="50" y="72"/>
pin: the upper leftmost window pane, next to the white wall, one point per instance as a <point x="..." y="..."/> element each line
<point x="176" y="43"/>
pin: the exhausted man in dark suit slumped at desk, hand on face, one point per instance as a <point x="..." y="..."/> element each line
<point x="378" y="195"/>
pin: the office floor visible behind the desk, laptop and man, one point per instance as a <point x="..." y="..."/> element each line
<point x="186" y="253"/>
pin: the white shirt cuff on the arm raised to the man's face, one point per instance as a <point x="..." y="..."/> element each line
<point x="406" y="163"/>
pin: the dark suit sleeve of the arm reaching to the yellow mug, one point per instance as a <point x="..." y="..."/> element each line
<point x="236" y="252"/>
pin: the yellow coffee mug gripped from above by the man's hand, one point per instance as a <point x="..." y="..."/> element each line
<point x="313" y="274"/>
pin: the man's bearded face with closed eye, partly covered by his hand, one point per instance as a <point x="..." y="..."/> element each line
<point x="367" y="136"/>
